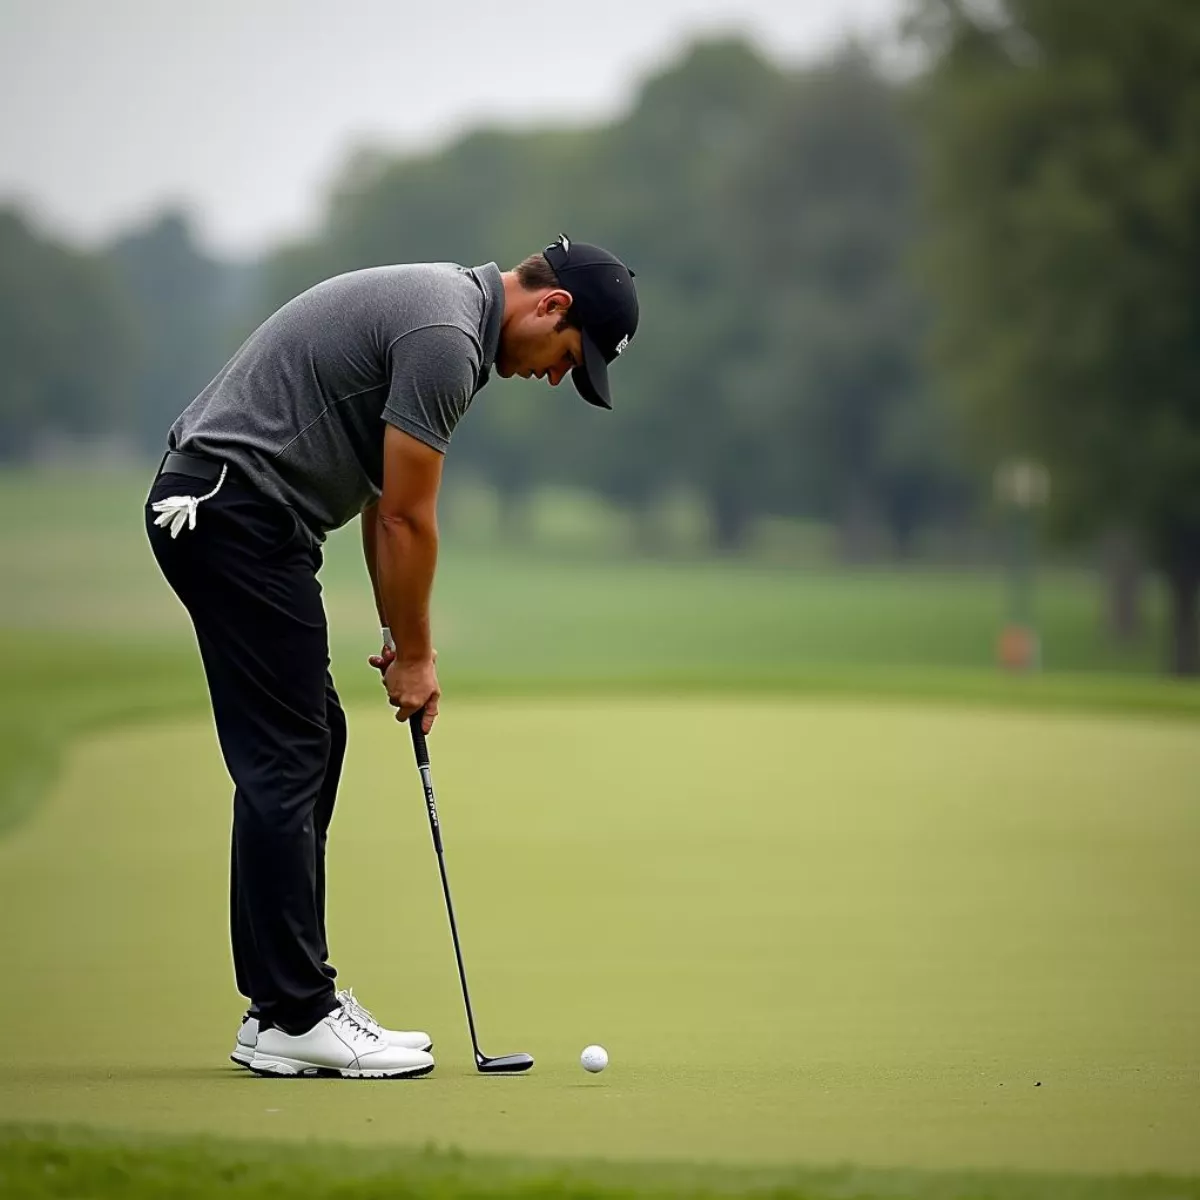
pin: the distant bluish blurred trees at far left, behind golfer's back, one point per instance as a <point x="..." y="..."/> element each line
<point x="113" y="343"/>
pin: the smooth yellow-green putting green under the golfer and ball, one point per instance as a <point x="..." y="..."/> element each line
<point x="806" y="933"/>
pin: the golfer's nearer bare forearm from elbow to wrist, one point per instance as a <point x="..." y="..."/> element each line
<point x="406" y="559"/>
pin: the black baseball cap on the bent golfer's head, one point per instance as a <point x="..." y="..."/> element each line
<point x="604" y="304"/>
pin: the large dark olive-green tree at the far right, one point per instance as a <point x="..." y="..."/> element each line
<point x="1065" y="188"/>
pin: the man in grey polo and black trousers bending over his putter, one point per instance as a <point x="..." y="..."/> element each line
<point x="340" y="406"/>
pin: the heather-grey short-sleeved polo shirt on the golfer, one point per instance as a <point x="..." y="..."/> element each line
<point x="301" y="409"/>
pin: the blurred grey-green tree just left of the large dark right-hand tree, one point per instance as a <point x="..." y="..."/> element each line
<point x="830" y="215"/>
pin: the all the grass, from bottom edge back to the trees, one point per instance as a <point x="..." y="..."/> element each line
<point x="796" y="805"/>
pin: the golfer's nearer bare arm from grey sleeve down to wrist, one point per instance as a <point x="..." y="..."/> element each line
<point x="406" y="542"/>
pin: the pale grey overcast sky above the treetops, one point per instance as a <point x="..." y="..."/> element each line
<point x="244" y="110"/>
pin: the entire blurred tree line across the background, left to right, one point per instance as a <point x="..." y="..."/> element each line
<point x="859" y="295"/>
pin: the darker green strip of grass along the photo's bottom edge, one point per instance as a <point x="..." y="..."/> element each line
<point x="39" y="1162"/>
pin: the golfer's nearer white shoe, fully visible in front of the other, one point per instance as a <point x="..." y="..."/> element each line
<point x="340" y="1047"/>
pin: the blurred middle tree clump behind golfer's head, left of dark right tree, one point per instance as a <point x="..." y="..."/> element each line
<point x="767" y="214"/>
